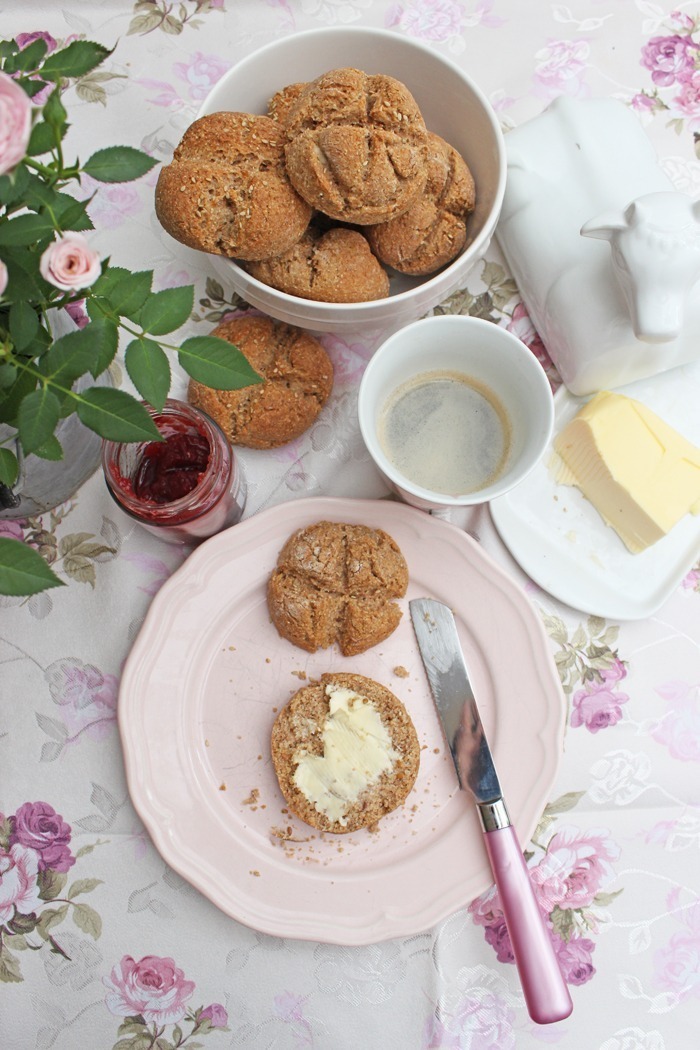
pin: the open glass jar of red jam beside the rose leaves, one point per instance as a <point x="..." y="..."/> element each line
<point x="184" y="489"/>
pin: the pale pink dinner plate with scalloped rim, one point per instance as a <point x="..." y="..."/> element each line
<point x="208" y="674"/>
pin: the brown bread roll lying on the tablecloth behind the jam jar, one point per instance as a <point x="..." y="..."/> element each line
<point x="298" y="382"/>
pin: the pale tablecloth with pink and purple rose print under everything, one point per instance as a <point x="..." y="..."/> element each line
<point x="103" y="944"/>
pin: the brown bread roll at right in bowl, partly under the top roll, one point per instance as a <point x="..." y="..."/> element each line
<point x="434" y="230"/>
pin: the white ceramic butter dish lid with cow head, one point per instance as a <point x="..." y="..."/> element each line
<point x="605" y="251"/>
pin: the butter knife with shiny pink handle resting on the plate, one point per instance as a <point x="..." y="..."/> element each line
<point x="546" y="994"/>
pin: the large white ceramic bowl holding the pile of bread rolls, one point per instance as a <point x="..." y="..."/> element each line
<point x="453" y="108"/>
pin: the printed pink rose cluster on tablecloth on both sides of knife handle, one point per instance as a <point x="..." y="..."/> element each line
<point x="568" y="880"/>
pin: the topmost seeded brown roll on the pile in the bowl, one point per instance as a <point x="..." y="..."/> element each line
<point x="357" y="146"/>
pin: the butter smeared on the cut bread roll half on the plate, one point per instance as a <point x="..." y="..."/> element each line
<point x="357" y="750"/>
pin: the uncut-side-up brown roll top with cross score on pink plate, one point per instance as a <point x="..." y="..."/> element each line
<point x="337" y="584"/>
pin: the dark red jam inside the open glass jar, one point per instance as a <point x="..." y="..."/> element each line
<point x="169" y="470"/>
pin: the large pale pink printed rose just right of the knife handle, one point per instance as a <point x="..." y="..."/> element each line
<point x="576" y="867"/>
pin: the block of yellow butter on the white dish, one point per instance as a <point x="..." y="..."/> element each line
<point x="641" y="475"/>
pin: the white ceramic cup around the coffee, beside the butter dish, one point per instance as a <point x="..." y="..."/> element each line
<point x="482" y="351"/>
